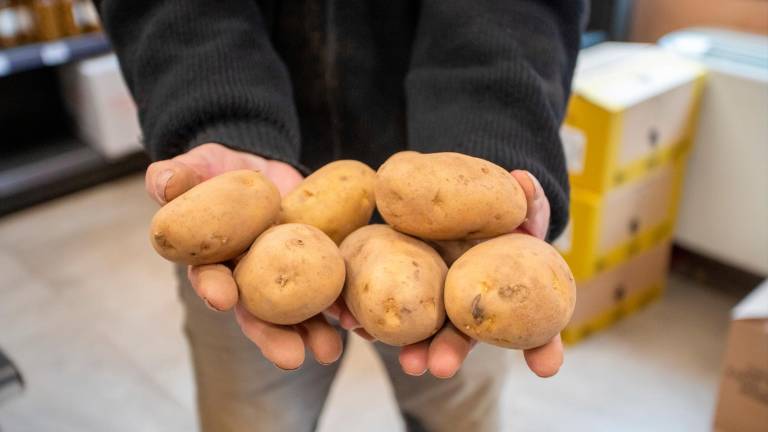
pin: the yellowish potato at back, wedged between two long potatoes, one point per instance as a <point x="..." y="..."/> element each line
<point x="337" y="199"/>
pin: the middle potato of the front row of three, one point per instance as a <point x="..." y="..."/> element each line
<point x="394" y="285"/>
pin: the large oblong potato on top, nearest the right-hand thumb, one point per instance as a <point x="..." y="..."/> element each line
<point x="448" y="196"/>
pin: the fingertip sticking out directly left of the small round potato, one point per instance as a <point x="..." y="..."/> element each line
<point x="215" y="285"/>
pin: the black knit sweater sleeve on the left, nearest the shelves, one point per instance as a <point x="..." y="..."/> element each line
<point x="203" y="71"/>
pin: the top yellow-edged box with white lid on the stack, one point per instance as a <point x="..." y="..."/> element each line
<point x="633" y="106"/>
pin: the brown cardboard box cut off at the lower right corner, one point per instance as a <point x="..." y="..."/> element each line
<point x="742" y="404"/>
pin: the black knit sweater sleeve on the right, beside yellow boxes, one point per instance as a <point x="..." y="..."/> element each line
<point x="491" y="78"/>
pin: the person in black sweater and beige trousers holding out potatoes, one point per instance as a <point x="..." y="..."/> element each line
<point x="287" y="86"/>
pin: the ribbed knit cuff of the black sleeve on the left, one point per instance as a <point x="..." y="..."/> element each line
<point x="261" y="139"/>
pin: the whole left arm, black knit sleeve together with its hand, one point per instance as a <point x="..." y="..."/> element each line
<point x="204" y="73"/>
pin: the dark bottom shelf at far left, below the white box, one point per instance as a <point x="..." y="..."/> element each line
<point x="57" y="169"/>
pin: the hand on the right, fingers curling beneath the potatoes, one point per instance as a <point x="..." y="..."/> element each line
<point x="444" y="353"/>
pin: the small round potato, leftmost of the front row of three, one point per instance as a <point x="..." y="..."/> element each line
<point x="291" y="273"/>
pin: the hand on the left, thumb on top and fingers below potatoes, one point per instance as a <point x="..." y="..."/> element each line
<point x="214" y="284"/>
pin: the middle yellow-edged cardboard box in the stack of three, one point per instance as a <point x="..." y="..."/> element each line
<point x="606" y="230"/>
